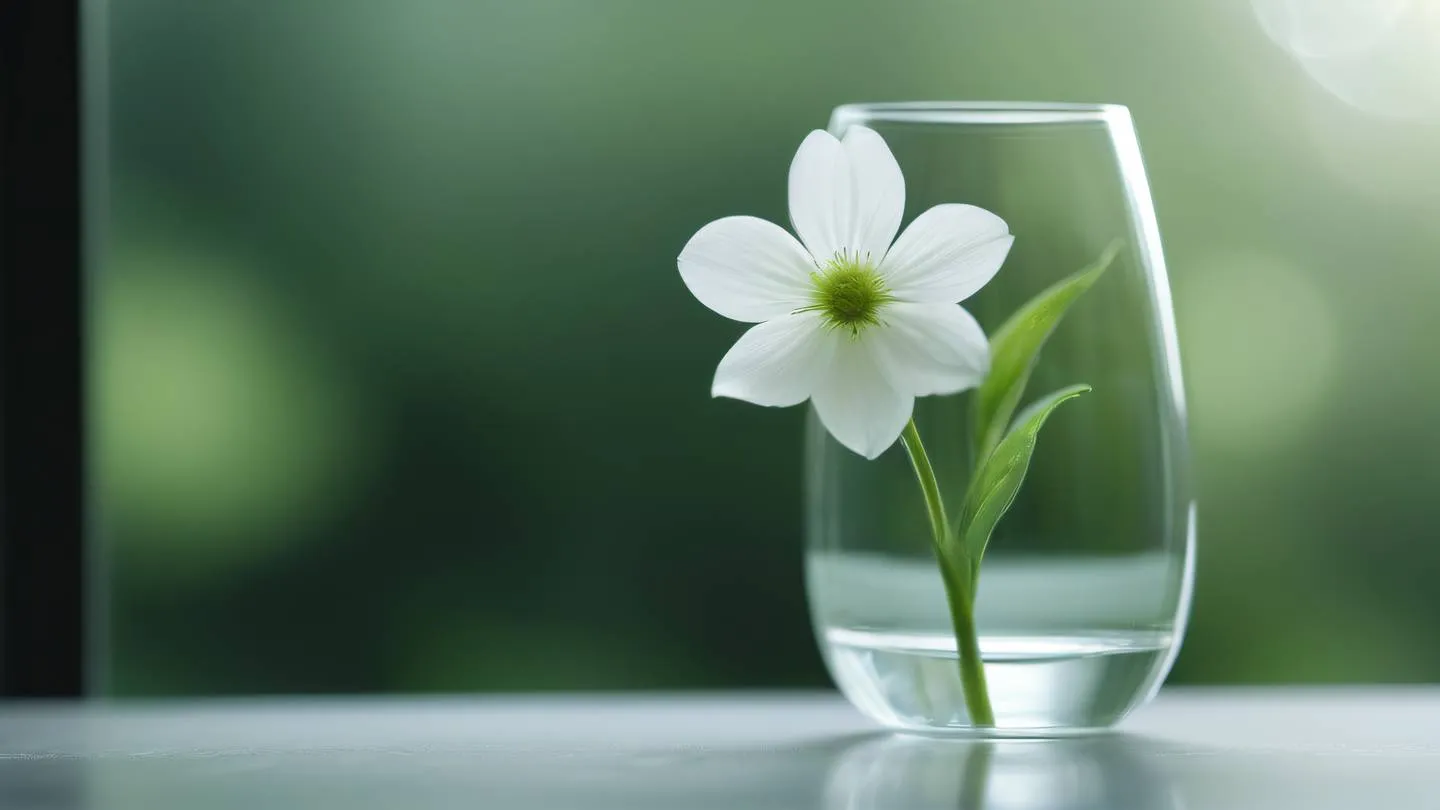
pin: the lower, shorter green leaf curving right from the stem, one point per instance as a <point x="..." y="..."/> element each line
<point x="999" y="481"/>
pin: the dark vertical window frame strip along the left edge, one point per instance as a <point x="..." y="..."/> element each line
<point x="42" y="413"/>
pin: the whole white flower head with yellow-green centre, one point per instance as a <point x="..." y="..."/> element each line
<point x="845" y="318"/>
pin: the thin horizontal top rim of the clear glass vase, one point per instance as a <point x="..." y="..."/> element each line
<point x="978" y="113"/>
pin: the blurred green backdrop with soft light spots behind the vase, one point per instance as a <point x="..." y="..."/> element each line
<point x="397" y="387"/>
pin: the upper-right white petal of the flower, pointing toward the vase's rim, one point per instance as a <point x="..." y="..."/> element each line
<point x="947" y="254"/>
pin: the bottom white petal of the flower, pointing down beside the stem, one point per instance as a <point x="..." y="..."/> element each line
<point x="856" y="403"/>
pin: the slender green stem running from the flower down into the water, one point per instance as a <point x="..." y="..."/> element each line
<point x="957" y="586"/>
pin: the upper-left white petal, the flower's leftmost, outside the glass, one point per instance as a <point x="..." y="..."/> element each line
<point x="747" y="269"/>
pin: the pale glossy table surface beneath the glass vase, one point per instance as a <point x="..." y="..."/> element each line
<point x="1373" y="749"/>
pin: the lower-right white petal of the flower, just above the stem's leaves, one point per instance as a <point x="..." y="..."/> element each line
<point x="928" y="350"/>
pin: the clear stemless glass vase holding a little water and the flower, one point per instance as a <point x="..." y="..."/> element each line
<point x="1085" y="587"/>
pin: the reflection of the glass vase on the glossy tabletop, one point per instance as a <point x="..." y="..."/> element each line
<point x="1102" y="773"/>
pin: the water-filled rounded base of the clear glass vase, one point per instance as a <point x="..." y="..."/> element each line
<point x="1040" y="685"/>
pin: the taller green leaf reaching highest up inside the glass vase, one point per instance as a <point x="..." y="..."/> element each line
<point x="1016" y="347"/>
